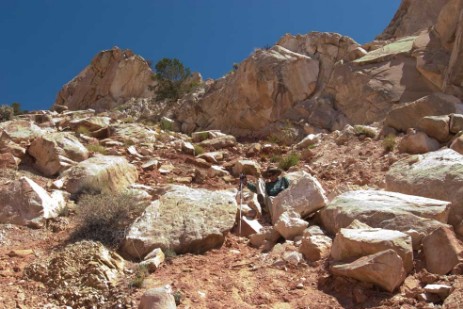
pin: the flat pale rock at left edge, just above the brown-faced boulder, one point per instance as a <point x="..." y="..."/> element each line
<point x="21" y="130"/>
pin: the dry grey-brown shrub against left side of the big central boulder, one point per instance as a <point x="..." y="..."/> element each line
<point x="105" y="217"/>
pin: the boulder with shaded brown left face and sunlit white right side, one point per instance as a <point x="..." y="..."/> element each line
<point x="55" y="152"/>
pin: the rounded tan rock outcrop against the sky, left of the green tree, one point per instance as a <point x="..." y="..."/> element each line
<point x="113" y="77"/>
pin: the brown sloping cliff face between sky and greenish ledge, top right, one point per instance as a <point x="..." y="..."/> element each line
<point x="411" y="17"/>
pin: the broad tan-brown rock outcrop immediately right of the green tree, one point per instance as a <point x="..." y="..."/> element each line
<point x="263" y="88"/>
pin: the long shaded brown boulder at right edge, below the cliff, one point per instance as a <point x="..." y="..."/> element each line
<point x="408" y="115"/>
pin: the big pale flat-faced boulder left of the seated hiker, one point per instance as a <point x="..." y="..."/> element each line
<point x="183" y="220"/>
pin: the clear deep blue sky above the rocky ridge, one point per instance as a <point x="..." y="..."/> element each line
<point x="45" y="43"/>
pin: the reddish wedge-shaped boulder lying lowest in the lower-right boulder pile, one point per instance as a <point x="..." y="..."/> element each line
<point x="384" y="269"/>
